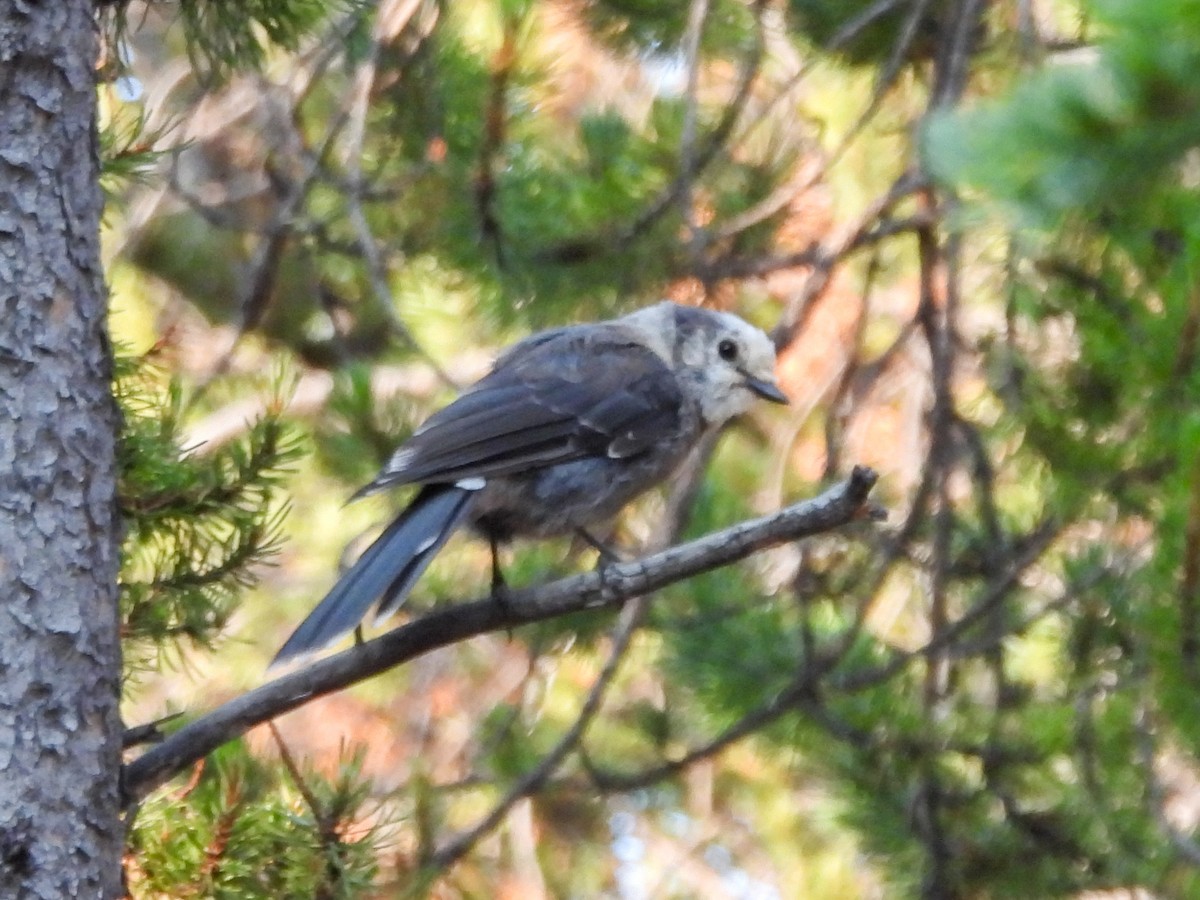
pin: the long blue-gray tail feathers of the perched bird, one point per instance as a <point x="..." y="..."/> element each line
<point x="386" y="572"/>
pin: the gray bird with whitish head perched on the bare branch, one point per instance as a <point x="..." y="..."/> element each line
<point x="568" y="428"/>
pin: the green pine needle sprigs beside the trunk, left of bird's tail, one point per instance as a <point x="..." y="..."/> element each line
<point x="199" y="525"/>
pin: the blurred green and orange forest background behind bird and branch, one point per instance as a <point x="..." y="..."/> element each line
<point x="969" y="227"/>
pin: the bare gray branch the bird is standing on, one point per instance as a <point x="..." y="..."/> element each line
<point x="616" y="585"/>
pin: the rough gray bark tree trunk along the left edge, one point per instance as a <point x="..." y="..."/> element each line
<point x="61" y="833"/>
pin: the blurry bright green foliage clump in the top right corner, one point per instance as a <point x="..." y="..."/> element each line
<point x="1094" y="136"/>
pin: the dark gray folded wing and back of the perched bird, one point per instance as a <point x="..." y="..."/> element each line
<point x="574" y="393"/>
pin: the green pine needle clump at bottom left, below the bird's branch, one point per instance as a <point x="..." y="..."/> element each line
<point x="247" y="829"/>
